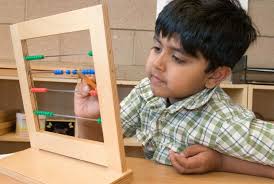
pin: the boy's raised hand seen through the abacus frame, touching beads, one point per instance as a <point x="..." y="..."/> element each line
<point x="84" y="104"/>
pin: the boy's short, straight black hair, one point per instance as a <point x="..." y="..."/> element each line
<point x="218" y="29"/>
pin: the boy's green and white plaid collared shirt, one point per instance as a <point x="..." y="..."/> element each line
<point x="208" y="118"/>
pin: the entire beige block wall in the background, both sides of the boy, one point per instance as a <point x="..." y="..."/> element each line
<point x="132" y="24"/>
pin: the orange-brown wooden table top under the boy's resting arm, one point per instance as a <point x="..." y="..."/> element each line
<point x="147" y="172"/>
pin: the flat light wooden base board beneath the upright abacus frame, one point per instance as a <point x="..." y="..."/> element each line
<point x="33" y="166"/>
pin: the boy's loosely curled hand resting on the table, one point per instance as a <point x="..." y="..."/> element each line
<point x="196" y="159"/>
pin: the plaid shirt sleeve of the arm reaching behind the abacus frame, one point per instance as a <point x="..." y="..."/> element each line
<point x="130" y="108"/>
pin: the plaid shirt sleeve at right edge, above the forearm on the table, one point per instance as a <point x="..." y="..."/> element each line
<point x="247" y="138"/>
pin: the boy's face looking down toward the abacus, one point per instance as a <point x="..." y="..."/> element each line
<point x="173" y="73"/>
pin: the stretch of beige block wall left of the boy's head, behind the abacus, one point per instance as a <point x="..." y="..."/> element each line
<point x="131" y="22"/>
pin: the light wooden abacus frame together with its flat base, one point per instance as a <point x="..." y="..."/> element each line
<point x="110" y="154"/>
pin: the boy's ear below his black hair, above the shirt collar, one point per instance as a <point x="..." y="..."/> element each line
<point x="217" y="76"/>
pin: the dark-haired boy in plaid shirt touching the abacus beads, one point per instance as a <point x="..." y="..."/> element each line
<point x="179" y="104"/>
